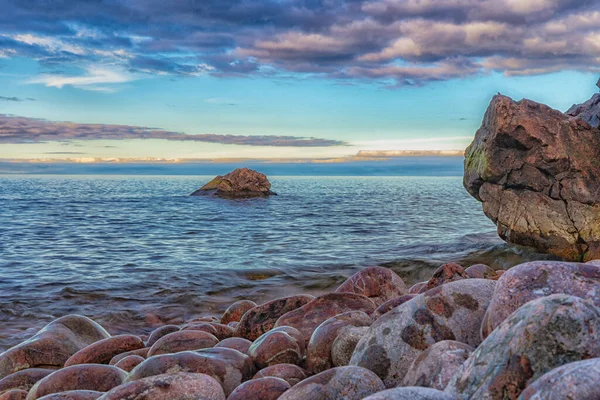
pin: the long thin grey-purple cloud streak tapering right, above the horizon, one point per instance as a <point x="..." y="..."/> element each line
<point x="14" y="129"/>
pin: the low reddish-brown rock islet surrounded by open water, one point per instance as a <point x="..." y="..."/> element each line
<point x="241" y="183"/>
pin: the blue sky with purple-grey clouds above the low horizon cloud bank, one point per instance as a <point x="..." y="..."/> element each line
<point x="279" y="78"/>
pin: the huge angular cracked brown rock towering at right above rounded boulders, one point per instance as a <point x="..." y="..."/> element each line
<point x="537" y="172"/>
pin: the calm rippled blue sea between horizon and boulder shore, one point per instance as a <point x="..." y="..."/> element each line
<point x="133" y="252"/>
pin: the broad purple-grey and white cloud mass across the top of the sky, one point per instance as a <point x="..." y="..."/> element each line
<point x="390" y="42"/>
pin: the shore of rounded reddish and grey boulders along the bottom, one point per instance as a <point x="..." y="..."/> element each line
<point x="532" y="332"/>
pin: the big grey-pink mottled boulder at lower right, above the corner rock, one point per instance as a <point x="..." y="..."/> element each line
<point x="541" y="335"/>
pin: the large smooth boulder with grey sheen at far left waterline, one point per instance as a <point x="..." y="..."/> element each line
<point x="52" y="345"/>
